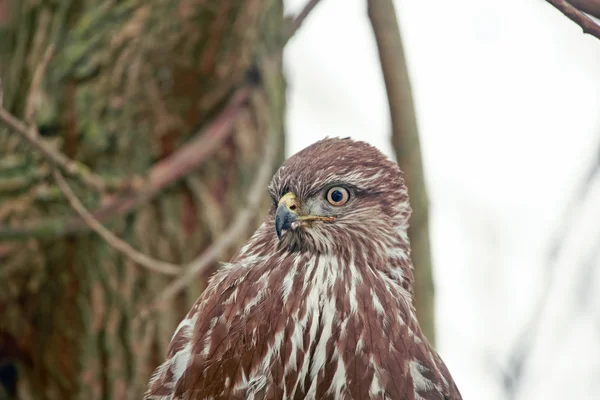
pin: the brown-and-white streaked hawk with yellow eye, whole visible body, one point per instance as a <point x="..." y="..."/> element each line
<point x="319" y="302"/>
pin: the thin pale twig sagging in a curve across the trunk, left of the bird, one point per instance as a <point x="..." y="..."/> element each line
<point x="110" y="238"/>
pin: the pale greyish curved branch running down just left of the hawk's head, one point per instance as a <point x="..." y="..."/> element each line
<point x="230" y="237"/>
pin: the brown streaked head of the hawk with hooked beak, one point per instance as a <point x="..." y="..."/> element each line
<point x="336" y="192"/>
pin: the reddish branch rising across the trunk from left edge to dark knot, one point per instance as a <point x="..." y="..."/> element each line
<point x="169" y="170"/>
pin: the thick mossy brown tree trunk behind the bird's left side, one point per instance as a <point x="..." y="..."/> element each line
<point x="128" y="82"/>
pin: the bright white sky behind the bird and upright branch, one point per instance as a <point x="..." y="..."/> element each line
<point x="508" y="99"/>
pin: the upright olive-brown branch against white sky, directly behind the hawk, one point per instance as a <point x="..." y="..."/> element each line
<point x="405" y="140"/>
